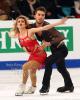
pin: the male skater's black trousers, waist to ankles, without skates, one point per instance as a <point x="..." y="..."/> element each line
<point x="57" y="57"/>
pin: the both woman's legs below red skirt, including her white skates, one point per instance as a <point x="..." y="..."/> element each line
<point x="32" y="66"/>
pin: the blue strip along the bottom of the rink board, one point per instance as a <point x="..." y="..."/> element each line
<point x="10" y="65"/>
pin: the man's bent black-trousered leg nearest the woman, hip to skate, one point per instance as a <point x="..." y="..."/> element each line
<point x="48" y="71"/>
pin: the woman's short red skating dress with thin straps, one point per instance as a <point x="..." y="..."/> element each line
<point x="35" y="54"/>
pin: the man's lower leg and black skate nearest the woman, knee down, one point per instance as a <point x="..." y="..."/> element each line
<point x="47" y="75"/>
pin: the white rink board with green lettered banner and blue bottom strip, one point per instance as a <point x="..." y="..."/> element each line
<point x="12" y="56"/>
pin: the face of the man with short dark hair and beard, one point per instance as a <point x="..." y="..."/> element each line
<point x="39" y="17"/>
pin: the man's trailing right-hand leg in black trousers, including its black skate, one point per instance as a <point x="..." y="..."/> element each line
<point x="68" y="85"/>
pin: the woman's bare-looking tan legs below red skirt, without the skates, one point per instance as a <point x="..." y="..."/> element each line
<point x="32" y="66"/>
